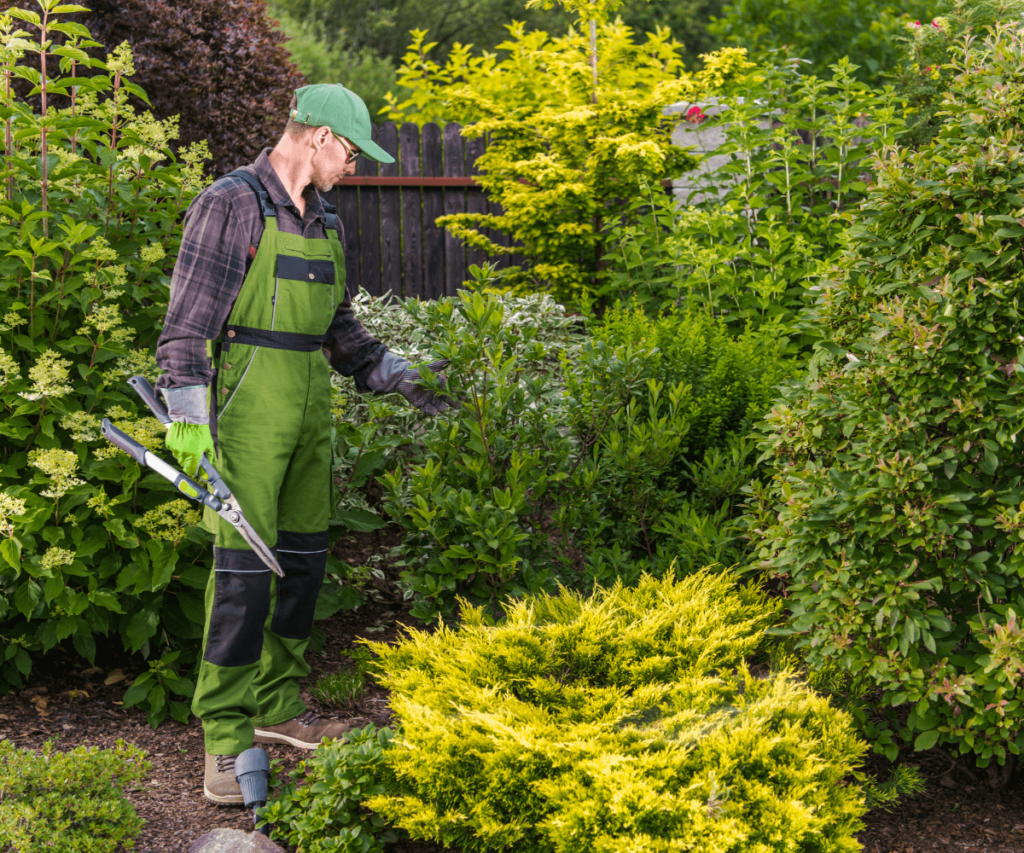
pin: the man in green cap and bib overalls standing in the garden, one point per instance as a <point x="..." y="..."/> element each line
<point x="259" y="294"/>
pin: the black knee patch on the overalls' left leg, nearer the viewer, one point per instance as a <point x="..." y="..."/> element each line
<point x="241" y="606"/>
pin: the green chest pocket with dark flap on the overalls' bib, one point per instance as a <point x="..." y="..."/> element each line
<point x="304" y="295"/>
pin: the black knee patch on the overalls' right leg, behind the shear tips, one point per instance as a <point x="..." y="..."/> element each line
<point x="304" y="557"/>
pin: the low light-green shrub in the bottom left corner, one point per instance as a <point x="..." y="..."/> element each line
<point x="72" y="802"/>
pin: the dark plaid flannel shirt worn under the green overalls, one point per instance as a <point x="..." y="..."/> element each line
<point x="223" y="231"/>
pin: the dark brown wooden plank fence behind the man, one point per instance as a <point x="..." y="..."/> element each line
<point x="393" y="242"/>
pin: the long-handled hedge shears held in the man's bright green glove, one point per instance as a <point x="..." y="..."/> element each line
<point x="219" y="497"/>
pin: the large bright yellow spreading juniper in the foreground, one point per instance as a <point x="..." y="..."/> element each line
<point x="627" y="720"/>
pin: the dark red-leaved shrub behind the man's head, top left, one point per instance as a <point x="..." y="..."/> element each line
<point x="221" y="65"/>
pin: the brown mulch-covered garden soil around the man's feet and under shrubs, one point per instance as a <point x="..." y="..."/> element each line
<point x="75" y="706"/>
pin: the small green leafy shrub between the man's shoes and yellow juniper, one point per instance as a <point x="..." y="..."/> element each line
<point x="322" y="811"/>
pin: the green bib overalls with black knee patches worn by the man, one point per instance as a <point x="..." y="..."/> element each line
<point x="271" y="409"/>
